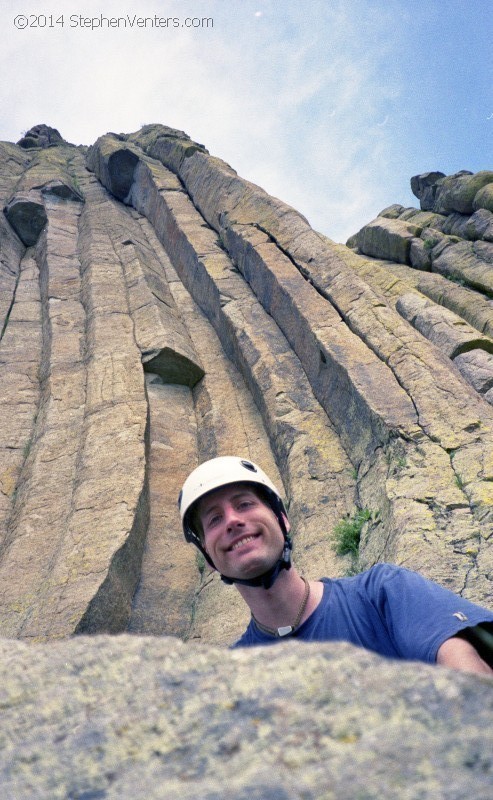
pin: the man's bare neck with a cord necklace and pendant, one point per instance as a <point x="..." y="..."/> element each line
<point x="279" y="606"/>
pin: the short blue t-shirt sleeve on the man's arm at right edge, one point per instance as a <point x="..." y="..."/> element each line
<point x="419" y="614"/>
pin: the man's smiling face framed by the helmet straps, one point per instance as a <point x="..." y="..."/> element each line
<point x="242" y="534"/>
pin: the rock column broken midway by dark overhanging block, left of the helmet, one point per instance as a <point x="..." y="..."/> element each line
<point x="163" y="600"/>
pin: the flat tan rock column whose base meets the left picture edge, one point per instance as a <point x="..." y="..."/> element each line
<point x="43" y="502"/>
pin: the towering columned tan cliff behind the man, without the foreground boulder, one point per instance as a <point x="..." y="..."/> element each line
<point x="158" y="310"/>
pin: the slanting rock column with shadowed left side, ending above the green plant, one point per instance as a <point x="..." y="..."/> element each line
<point x="332" y="356"/>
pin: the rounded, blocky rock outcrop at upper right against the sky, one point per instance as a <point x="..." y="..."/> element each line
<point x="452" y="238"/>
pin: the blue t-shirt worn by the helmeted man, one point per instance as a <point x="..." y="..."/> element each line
<point x="388" y="609"/>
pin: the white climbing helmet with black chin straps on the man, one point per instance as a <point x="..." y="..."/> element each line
<point x="220" y="472"/>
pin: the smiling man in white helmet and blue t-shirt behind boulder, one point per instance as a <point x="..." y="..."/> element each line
<point x="234" y="514"/>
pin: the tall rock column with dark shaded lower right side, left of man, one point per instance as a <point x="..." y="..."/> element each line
<point x="99" y="566"/>
